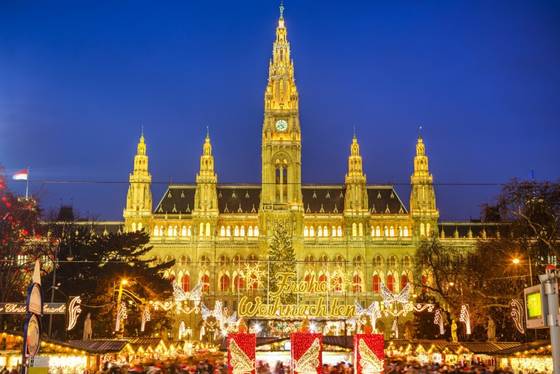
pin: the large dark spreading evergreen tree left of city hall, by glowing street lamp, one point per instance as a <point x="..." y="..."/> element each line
<point x="92" y="265"/>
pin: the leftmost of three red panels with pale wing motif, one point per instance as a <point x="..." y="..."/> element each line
<point x="241" y="353"/>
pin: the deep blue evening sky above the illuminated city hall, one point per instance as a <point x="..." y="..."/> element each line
<point x="78" y="78"/>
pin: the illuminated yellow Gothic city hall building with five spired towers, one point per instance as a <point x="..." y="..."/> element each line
<point x="352" y="235"/>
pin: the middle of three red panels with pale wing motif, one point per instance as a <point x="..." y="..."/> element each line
<point x="307" y="349"/>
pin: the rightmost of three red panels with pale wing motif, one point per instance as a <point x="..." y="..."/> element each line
<point x="368" y="353"/>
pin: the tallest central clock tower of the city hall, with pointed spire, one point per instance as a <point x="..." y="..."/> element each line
<point x="281" y="138"/>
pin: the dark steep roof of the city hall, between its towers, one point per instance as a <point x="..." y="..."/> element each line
<point x="245" y="199"/>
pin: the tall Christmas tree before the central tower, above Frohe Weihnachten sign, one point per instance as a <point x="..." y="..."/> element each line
<point x="282" y="259"/>
